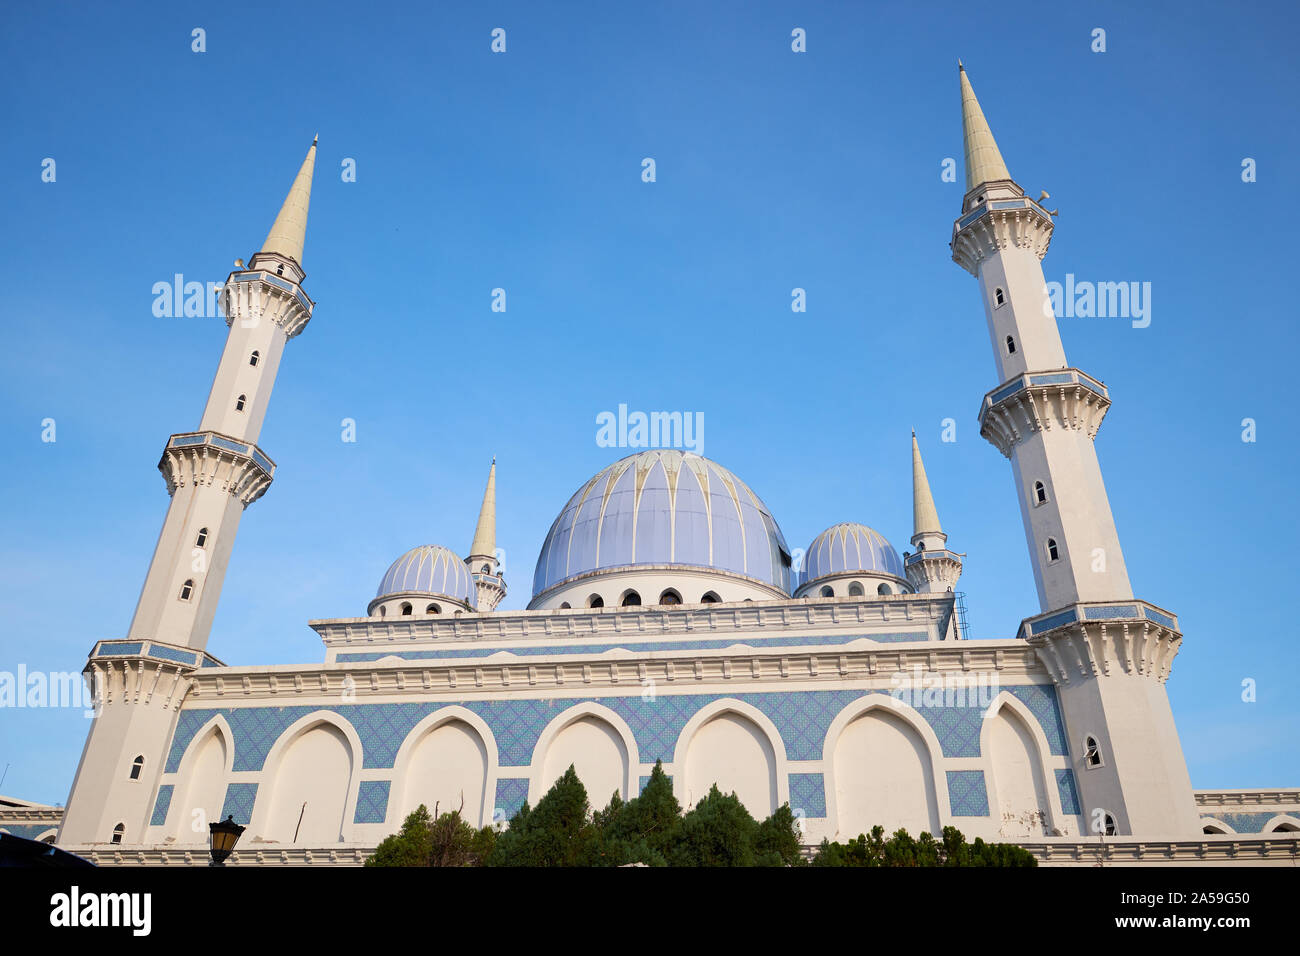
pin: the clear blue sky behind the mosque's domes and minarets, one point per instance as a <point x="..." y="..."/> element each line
<point x="522" y="171"/>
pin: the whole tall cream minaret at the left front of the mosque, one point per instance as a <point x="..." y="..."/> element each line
<point x="213" y="475"/>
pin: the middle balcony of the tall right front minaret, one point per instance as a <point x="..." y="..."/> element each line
<point x="1037" y="401"/>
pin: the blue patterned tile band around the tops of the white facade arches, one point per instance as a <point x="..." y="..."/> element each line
<point x="801" y="719"/>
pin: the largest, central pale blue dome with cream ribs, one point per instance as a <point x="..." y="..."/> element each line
<point x="665" y="508"/>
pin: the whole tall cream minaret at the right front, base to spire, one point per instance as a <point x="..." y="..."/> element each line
<point x="1107" y="654"/>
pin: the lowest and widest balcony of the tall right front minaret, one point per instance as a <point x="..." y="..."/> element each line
<point x="1104" y="638"/>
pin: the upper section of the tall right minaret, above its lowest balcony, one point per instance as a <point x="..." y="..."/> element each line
<point x="1045" y="414"/>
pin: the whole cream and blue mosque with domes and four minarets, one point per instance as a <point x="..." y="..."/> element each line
<point x="669" y="622"/>
